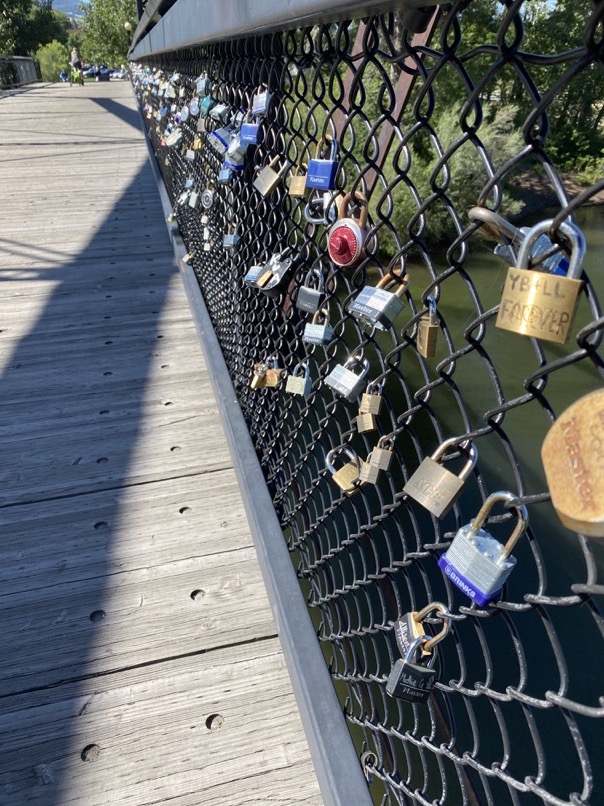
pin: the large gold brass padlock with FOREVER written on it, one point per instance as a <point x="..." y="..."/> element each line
<point x="538" y="304"/>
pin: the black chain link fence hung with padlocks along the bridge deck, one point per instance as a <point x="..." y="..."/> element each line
<point x="428" y="115"/>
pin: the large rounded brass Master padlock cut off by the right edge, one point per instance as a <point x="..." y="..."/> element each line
<point x="573" y="464"/>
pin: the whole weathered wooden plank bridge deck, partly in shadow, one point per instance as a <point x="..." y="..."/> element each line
<point x="139" y="660"/>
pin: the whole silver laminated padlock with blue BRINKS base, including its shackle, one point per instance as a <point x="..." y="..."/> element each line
<point x="477" y="563"/>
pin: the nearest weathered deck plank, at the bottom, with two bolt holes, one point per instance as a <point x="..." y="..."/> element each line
<point x="154" y="744"/>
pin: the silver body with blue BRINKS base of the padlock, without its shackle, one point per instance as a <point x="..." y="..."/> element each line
<point x="473" y="562"/>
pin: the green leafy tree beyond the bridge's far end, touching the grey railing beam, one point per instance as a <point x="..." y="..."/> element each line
<point x="105" y="38"/>
